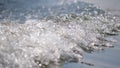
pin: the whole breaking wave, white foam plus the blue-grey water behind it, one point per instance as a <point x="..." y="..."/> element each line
<point x="49" y="34"/>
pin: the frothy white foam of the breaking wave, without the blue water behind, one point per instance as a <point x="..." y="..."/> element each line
<point x="60" y="39"/>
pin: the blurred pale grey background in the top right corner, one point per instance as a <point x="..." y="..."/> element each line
<point x="109" y="5"/>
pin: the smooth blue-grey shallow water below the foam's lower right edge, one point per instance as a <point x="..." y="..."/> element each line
<point x="109" y="58"/>
